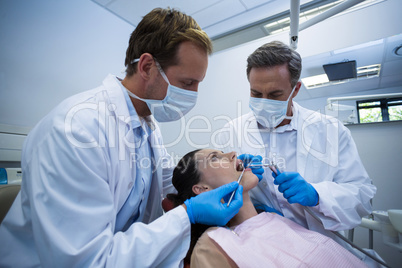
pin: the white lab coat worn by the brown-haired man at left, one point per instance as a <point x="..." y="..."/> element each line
<point x="77" y="174"/>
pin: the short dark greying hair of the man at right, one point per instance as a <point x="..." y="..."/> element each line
<point x="273" y="54"/>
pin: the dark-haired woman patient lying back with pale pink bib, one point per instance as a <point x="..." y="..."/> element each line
<point x="250" y="239"/>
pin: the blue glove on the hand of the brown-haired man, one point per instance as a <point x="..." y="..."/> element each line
<point x="207" y="208"/>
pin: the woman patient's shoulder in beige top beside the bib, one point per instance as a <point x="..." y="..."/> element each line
<point x="207" y="253"/>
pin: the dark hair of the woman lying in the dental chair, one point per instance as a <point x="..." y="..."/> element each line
<point x="185" y="175"/>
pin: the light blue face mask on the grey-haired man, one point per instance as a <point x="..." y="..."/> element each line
<point x="270" y="113"/>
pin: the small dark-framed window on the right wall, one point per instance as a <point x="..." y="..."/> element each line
<point x="379" y="110"/>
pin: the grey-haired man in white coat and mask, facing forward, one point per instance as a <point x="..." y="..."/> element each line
<point x="316" y="154"/>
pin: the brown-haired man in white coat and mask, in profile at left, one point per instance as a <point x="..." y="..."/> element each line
<point x="95" y="169"/>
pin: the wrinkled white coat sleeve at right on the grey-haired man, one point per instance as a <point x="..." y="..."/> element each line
<point x="345" y="198"/>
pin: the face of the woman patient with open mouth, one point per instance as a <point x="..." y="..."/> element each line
<point x="217" y="169"/>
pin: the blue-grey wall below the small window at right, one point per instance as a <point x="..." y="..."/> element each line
<point x="380" y="147"/>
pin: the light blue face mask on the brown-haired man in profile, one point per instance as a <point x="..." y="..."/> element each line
<point x="175" y="105"/>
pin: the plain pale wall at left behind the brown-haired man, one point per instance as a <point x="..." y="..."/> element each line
<point x="51" y="50"/>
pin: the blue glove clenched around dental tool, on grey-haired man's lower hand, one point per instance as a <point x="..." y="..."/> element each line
<point x="296" y="189"/>
